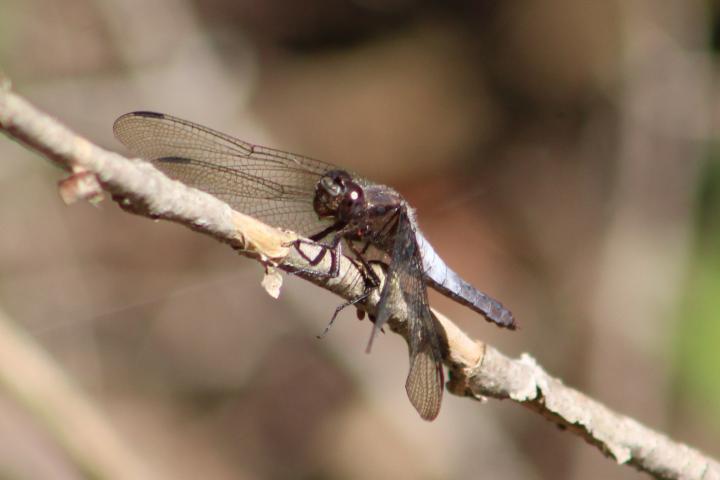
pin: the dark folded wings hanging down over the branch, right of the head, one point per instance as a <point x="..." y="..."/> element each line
<point x="425" y="381"/>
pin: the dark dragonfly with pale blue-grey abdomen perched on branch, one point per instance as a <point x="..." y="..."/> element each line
<point x="330" y="205"/>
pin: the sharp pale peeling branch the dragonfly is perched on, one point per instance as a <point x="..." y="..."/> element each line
<point x="477" y="370"/>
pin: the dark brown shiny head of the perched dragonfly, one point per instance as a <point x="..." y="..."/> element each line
<point x="338" y="196"/>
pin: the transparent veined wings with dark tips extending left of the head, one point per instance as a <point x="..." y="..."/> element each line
<point x="274" y="186"/>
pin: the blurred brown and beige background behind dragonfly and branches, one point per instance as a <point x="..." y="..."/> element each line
<point x="560" y="156"/>
